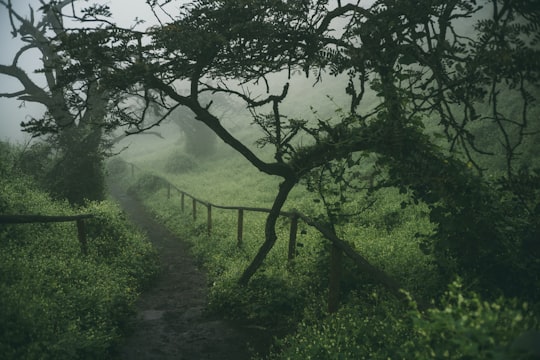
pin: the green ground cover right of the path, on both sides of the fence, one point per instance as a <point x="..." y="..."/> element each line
<point x="291" y="298"/>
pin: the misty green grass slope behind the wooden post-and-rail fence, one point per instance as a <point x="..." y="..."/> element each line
<point x="384" y="234"/>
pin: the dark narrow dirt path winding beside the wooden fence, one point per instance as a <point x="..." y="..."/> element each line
<point x="172" y="321"/>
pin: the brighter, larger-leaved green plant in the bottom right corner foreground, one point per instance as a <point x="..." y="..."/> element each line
<point x="465" y="326"/>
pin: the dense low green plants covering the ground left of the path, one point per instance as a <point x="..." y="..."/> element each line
<point x="56" y="303"/>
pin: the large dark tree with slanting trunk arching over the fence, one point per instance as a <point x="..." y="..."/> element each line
<point x="423" y="70"/>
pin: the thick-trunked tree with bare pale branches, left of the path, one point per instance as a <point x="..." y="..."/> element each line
<point x="76" y="108"/>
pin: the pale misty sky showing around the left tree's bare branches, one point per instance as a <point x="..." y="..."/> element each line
<point x="13" y="111"/>
